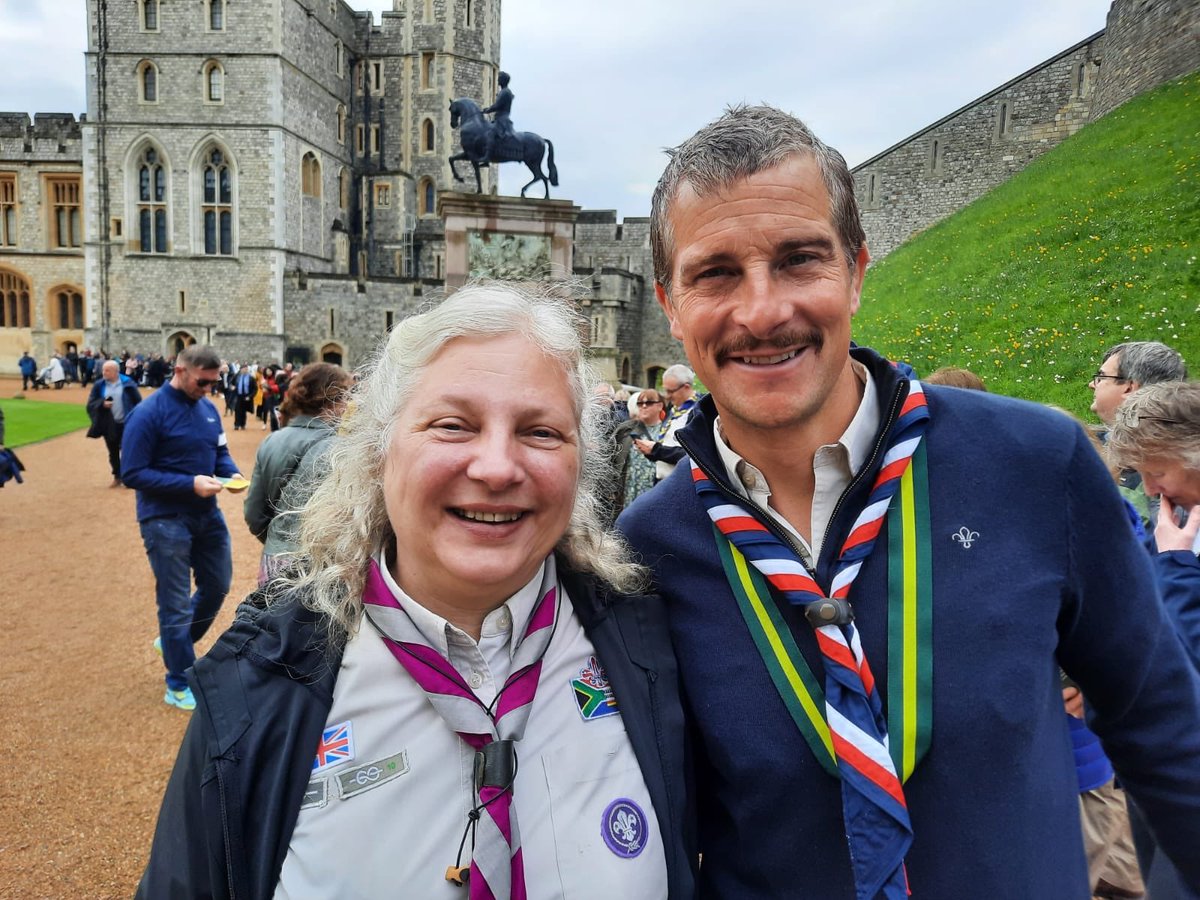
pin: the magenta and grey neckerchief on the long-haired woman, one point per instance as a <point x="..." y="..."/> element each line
<point x="497" y="872"/>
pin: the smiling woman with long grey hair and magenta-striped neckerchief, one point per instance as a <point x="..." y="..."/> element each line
<point x="452" y="673"/>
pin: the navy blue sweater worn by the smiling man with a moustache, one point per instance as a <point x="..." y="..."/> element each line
<point x="1054" y="575"/>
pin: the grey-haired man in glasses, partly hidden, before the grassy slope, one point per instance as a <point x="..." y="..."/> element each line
<point x="1124" y="370"/>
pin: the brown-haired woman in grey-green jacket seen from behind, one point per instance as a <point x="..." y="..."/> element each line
<point x="291" y="461"/>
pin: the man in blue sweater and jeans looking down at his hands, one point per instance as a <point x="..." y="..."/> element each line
<point x="175" y="455"/>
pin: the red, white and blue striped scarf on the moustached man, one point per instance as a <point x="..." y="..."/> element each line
<point x="877" y="818"/>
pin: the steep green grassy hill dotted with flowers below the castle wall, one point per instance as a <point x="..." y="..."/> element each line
<point x="1096" y="243"/>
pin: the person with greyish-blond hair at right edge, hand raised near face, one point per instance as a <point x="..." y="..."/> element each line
<point x="1157" y="431"/>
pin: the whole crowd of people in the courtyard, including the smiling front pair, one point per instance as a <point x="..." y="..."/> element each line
<point x="825" y="631"/>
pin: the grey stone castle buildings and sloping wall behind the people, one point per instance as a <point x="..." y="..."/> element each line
<point x="267" y="177"/>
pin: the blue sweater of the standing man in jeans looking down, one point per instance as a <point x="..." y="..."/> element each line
<point x="170" y="440"/>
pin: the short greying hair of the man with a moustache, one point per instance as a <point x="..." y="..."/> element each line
<point x="743" y="142"/>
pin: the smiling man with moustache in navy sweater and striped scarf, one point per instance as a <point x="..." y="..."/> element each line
<point x="875" y="686"/>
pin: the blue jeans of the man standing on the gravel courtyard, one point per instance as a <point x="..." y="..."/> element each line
<point x="179" y="547"/>
